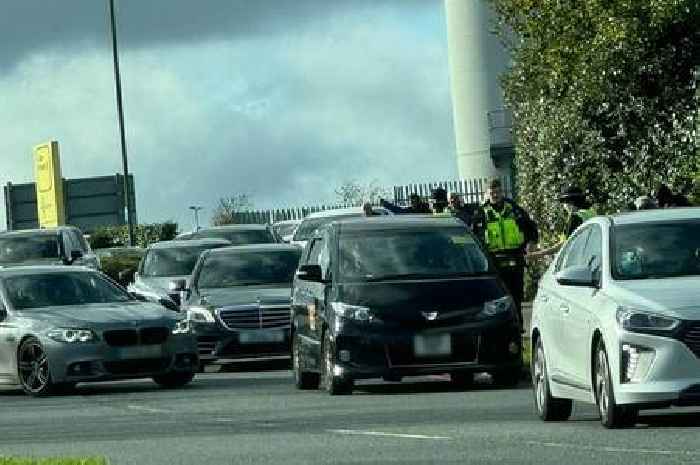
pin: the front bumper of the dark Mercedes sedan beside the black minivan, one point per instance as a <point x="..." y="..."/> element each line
<point x="215" y="343"/>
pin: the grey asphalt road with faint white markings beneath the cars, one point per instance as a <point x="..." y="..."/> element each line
<point x="258" y="418"/>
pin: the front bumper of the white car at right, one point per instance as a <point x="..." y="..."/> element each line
<point x="672" y="378"/>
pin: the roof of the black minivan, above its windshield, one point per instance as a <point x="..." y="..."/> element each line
<point x="396" y="222"/>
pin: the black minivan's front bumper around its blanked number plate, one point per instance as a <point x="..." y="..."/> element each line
<point x="488" y="347"/>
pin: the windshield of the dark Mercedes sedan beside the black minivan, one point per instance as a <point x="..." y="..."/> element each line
<point x="248" y="268"/>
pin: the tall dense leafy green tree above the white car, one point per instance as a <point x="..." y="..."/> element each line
<point x="603" y="94"/>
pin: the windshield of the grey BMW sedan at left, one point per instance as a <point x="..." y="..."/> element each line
<point x="61" y="289"/>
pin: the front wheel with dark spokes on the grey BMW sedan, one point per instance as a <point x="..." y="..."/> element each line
<point x="33" y="368"/>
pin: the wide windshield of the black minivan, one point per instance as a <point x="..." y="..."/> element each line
<point x="438" y="252"/>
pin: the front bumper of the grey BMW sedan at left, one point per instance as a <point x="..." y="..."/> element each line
<point x="74" y="363"/>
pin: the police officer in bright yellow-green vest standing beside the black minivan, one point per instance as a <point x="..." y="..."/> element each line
<point x="508" y="232"/>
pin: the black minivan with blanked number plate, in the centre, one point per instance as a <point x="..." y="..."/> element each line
<point x="388" y="297"/>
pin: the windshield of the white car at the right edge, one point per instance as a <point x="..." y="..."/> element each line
<point x="656" y="250"/>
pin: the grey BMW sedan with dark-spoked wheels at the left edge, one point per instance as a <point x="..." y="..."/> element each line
<point x="63" y="325"/>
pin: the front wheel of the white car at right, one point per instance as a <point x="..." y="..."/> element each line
<point x="611" y="414"/>
